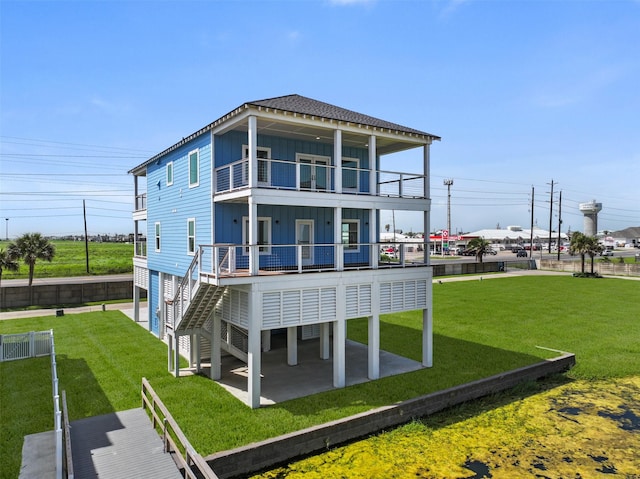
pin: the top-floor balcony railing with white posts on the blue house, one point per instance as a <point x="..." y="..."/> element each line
<point x="299" y="176"/>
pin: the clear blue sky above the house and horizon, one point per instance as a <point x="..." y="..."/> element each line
<point x="521" y="92"/>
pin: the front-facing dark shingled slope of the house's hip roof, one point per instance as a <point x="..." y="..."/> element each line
<point x="309" y="106"/>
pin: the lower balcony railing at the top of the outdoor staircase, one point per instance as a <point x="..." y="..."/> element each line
<point x="219" y="261"/>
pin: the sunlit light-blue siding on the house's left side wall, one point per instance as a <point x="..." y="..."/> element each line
<point x="172" y="205"/>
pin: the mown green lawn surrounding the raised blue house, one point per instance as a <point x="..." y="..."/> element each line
<point x="480" y="328"/>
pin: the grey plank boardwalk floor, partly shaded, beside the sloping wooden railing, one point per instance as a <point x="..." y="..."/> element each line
<point x="118" y="446"/>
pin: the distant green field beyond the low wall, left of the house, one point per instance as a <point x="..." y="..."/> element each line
<point x="71" y="260"/>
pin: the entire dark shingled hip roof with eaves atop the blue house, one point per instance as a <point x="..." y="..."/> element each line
<point x="300" y="105"/>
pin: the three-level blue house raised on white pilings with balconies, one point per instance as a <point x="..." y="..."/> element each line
<point x="267" y="221"/>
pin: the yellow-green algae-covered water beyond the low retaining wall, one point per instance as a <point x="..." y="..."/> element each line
<point x="569" y="429"/>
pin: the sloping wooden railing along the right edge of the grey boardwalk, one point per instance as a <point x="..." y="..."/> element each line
<point x="175" y="442"/>
